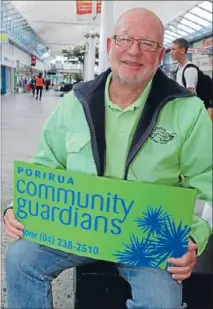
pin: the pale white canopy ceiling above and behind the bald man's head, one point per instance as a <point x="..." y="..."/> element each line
<point x="58" y="26"/>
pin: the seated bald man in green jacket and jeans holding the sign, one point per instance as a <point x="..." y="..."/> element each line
<point x="108" y="127"/>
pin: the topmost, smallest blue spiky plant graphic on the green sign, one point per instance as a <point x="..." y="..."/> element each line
<point x="152" y="221"/>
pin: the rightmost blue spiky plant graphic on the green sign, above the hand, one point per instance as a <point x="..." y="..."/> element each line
<point x="172" y="242"/>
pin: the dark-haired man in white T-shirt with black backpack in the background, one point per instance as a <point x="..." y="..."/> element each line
<point x="178" y="52"/>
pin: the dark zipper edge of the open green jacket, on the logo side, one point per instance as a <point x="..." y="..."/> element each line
<point x="149" y="130"/>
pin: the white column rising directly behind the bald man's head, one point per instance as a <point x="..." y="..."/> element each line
<point x="106" y="30"/>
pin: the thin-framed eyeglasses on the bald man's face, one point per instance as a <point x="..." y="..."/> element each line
<point x="126" y="42"/>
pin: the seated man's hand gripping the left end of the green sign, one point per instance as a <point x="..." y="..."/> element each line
<point x="13" y="228"/>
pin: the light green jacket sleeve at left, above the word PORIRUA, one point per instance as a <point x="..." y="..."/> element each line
<point x="52" y="149"/>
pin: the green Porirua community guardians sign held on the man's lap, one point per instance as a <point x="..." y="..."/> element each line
<point x="141" y="224"/>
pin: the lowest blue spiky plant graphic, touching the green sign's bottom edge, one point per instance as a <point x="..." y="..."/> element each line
<point x="137" y="253"/>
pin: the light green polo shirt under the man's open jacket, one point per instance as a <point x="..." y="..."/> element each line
<point x="120" y="127"/>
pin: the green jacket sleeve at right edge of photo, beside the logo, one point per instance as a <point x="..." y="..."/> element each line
<point x="196" y="170"/>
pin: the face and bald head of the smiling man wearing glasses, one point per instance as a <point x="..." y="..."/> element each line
<point x="132" y="64"/>
